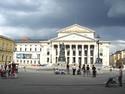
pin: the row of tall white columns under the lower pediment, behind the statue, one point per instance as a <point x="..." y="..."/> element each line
<point x="79" y="53"/>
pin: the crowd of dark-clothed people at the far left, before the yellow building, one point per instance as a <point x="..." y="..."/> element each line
<point x="8" y="70"/>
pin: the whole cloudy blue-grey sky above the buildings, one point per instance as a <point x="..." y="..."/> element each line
<point x="40" y="19"/>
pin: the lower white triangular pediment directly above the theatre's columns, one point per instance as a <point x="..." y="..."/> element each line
<point x="73" y="37"/>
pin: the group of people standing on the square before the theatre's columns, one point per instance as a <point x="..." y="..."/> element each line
<point x="86" y="70"/>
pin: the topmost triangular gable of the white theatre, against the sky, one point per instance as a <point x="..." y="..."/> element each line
<point x="76" y="28"/>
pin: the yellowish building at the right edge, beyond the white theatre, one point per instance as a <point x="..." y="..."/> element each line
<point x="118" y="58"/>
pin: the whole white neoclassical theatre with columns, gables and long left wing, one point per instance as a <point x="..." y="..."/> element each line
<point x="80" y="48"/>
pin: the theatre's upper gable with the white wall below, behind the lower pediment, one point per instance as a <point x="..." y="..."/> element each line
<point x="77" y="29"/>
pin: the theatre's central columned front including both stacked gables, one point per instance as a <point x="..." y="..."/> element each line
<point x="80" y="45"/>
